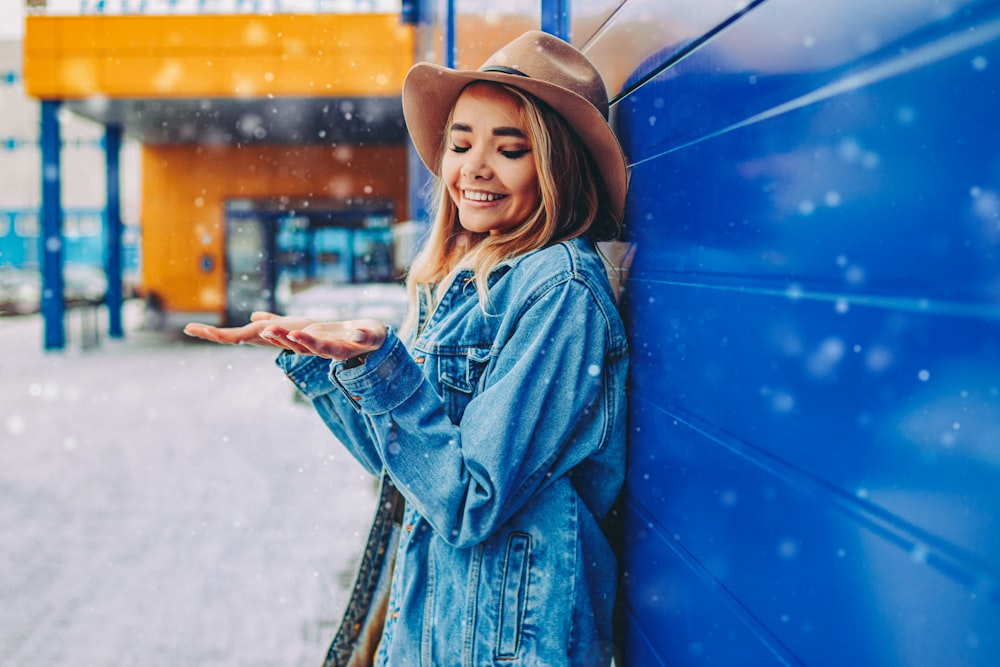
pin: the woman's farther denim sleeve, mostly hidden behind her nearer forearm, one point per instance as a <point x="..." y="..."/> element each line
<point x="311" y="375"/>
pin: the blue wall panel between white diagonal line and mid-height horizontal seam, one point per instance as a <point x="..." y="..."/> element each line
<point x="820" y="193"/>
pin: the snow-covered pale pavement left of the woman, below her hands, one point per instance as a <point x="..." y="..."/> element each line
<point x="165" y="502"/>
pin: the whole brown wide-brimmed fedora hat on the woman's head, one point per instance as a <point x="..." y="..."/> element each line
<point x="537" y="63"/>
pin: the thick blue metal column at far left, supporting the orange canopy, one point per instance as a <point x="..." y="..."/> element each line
<point x="51" y="236"/>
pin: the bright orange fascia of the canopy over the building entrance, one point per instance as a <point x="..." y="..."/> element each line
<point x="70" y="57"/>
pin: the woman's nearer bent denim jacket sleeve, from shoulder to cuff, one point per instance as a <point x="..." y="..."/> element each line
<point x="548" y="403"/>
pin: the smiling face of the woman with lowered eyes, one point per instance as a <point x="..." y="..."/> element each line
<point x="488" y="166"/>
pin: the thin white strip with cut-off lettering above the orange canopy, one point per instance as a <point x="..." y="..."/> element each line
<point x="163" y="7"/>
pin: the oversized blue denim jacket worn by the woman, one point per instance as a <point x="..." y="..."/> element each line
<point x="503" y="428"/>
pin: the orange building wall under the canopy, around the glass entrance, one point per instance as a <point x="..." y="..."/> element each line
<point x="185" y="188"/>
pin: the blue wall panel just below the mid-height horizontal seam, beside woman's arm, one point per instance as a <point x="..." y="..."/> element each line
<point x="876" y="402"/>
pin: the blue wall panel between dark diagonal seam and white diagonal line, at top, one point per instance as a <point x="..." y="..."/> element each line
<point x="785" y="52"/>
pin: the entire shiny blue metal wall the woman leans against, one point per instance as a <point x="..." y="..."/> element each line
<point x="814" y="307"/>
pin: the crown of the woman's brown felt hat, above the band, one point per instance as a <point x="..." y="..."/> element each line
<point x="542" y="57"/>
